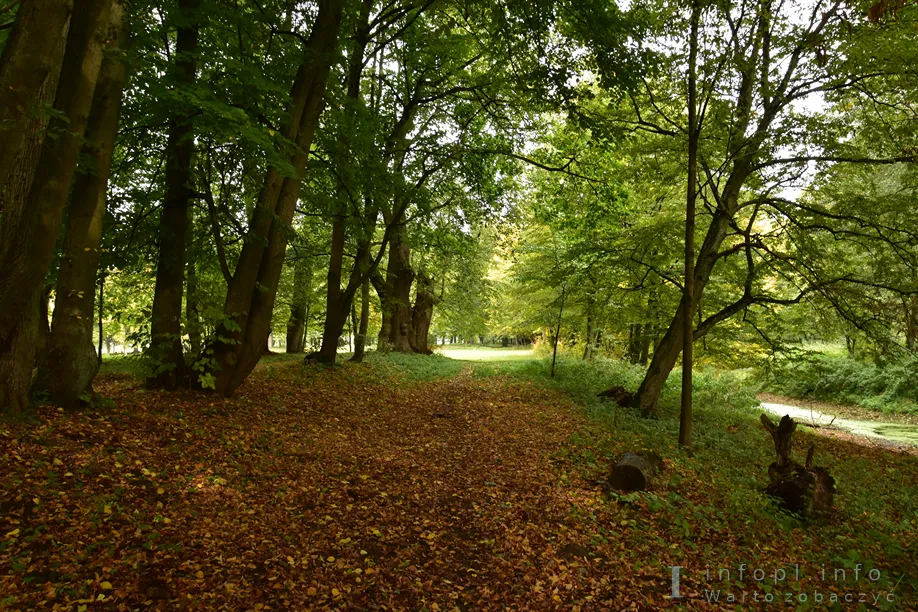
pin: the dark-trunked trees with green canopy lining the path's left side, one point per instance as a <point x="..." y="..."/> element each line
<point x="188" y="143"/>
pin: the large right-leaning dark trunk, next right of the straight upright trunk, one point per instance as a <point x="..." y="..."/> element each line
<point x="263" y="253"/>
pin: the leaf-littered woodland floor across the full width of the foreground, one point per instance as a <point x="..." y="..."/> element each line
<point x="354" y="488"/>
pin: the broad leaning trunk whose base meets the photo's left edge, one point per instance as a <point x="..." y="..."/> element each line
<point x="30" y="231"/>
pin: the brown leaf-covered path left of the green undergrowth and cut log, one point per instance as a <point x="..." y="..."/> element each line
<point x="311" y="489"/>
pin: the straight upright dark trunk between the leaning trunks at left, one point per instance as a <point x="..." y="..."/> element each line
<point x="166" y="318"/>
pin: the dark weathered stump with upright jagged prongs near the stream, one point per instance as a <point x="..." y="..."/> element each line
<point x="804" y="489"/>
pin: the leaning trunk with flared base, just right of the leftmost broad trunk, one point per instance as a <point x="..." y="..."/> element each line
<point x="68" y="363"/>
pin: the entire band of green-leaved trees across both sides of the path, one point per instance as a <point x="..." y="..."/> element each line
<point x="214" y="172"/>
